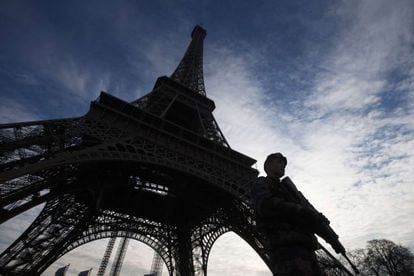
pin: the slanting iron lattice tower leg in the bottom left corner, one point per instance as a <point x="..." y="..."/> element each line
<point x="57" y="225"/>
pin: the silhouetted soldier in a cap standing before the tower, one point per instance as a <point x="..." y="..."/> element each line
<point x="289" y="225"/>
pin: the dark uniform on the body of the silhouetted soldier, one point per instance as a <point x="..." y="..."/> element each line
<point x="280" y="219"/>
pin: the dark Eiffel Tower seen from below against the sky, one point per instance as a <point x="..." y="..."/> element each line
<point x="157" y="170"/>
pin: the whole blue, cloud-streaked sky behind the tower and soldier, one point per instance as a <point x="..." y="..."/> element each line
<point x="328" y="83"/>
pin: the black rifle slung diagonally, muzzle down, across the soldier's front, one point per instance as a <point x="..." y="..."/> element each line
<point x="322" y="229"/>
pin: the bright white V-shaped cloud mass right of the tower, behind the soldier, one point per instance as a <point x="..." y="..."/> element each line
<point x="348" y="149"/>
